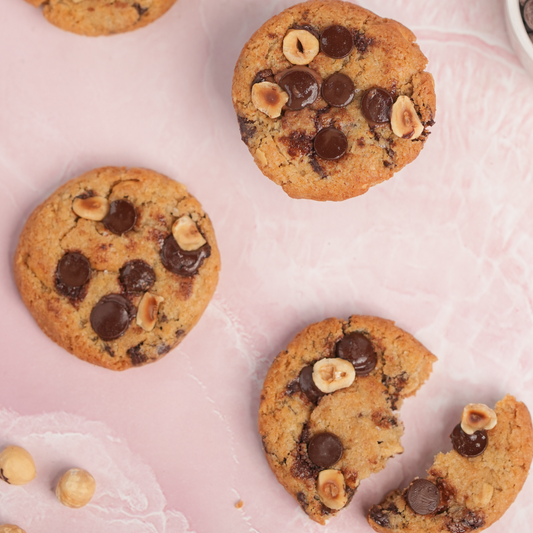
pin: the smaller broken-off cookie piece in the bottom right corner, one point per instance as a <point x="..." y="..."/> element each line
<point x="475" y="484"/>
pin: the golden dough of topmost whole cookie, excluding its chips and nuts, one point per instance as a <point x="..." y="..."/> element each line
<point x="385" y="55"/>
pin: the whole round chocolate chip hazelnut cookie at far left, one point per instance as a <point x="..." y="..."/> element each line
<point x="100" y="270"/>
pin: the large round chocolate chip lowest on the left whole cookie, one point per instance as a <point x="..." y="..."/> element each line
<point x="111" y="316"/>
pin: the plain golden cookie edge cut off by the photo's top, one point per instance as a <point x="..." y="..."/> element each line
<point x="102" y="17"/>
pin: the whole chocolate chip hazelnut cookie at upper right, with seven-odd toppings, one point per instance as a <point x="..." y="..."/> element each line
<point x="287" y="89"/>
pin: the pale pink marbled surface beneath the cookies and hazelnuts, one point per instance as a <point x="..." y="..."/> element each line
<point x="445" y="249"/>
